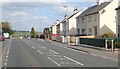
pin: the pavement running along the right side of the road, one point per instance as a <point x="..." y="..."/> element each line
<point x="95" y="51"/>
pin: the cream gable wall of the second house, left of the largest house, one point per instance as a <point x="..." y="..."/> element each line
<point x="73" y="25"/>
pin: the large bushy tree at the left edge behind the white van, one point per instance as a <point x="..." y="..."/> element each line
<point x="6" y="28"/>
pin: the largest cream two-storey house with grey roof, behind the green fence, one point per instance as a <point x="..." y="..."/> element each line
<point x="98" y="19"/>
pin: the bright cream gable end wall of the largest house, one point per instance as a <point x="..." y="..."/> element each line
<point x="108" y="18"/>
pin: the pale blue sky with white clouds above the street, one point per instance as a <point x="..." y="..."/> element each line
<point x="24" y="14"/>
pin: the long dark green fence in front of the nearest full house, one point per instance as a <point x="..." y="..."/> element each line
<point x="101" y="42"/>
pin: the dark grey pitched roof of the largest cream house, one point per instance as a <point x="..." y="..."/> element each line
<point x="94" y="9"/>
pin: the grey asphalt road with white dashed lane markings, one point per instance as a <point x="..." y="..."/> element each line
<point x="40" y="53"/>
